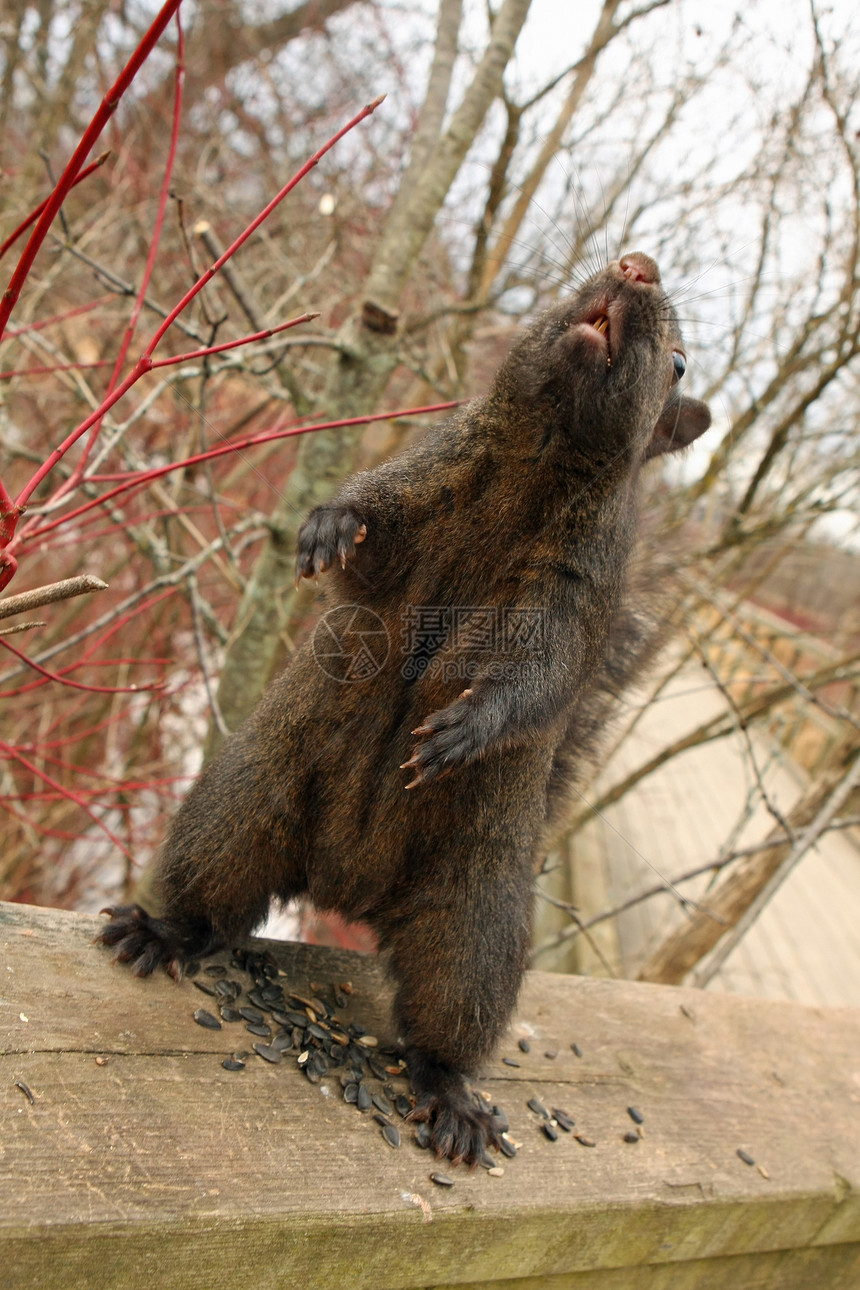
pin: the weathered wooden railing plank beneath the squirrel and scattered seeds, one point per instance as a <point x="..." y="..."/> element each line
<point x="159" y="1167"/>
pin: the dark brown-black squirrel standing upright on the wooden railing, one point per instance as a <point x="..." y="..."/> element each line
<point x="406" y="768"/>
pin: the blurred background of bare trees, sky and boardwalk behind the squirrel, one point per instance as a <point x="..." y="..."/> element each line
<point x="515" y="153"/>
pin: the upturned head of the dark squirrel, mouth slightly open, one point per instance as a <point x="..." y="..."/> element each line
<point x="603" y="370"/>
